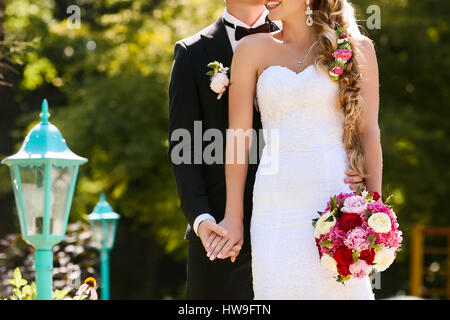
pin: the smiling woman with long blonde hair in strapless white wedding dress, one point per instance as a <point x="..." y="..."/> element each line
<point x="324" y="127"/>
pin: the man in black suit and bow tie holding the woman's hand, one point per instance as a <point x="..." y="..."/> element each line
<point x="201" y="187"/>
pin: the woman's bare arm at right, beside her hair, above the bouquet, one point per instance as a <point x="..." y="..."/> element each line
<point x="369" y="129"/>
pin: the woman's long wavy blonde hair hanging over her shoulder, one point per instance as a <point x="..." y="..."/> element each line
<point x="327" y="15"/>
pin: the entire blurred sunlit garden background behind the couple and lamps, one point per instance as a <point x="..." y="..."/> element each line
<point x="107" y="86"/>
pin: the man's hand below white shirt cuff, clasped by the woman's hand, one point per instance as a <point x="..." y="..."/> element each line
<point x="209" y="231"/>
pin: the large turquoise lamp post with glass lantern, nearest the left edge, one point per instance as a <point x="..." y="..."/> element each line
<point x="44" y="174"/>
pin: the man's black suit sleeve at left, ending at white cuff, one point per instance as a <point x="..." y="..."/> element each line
<point x="184" y="109"/>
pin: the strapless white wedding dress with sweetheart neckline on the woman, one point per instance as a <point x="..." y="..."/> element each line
<point x="310" y="162"/>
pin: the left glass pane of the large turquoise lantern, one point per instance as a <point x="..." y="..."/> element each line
<point x="32" y="183"/>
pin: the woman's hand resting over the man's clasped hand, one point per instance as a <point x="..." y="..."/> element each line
<point x="231" y="243"/>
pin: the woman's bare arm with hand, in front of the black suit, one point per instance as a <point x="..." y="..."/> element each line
<point x="240" y="123"/>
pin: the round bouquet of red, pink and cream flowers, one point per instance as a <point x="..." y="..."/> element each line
<point x="356" y="235"/>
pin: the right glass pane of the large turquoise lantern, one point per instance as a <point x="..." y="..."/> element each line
<point x="61" y="178"/>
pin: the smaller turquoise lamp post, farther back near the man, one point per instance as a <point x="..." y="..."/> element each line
<point x="104" y="225"/>
